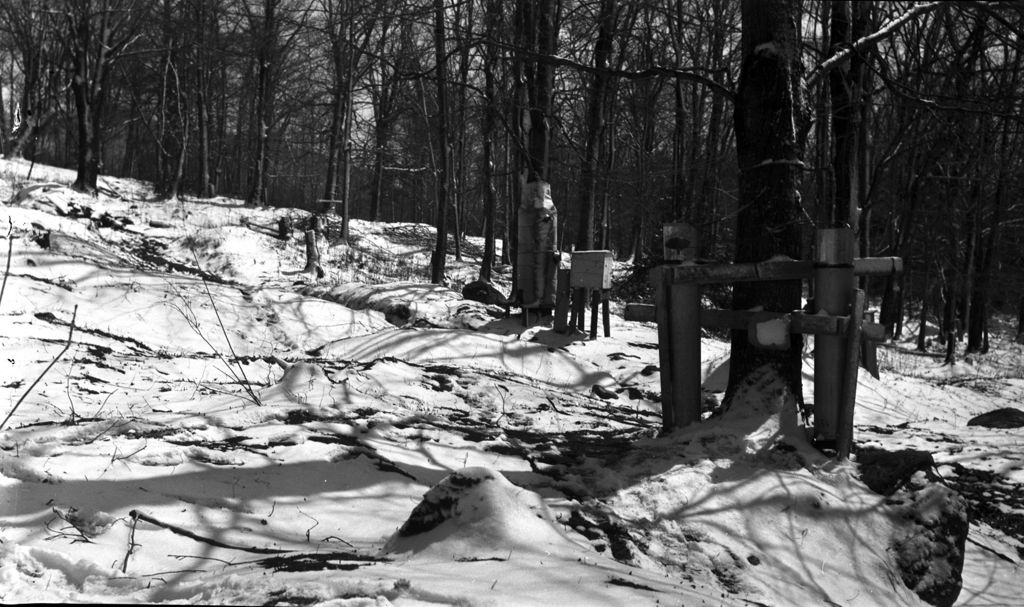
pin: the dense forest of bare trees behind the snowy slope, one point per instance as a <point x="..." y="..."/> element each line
<point x="907" y="118"/>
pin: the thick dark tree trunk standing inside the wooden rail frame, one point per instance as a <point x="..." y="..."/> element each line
<point x="771" y="151"/>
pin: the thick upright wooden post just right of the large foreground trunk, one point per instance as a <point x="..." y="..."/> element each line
<point x="834" y="284"/>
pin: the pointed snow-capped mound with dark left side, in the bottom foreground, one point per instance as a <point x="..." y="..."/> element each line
<point x="478" y="514"/>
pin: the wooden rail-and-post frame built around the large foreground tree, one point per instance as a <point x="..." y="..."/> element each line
<point x="839" y="324"/>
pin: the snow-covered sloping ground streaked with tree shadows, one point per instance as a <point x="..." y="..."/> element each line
<point x="226" y="429"/>
